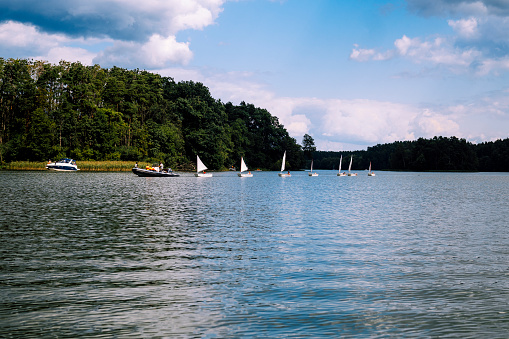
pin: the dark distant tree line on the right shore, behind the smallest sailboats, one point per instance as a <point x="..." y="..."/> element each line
<point x="436" y="154"/>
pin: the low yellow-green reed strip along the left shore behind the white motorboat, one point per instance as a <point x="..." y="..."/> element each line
<point x="86" y="166"/>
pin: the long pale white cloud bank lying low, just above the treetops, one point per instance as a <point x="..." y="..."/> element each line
<point x="356" y="124"/>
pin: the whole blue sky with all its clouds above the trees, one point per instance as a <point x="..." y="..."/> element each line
<point x="352" y="74"/>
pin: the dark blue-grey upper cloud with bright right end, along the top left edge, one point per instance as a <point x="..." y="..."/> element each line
<point x="130" y="20"/>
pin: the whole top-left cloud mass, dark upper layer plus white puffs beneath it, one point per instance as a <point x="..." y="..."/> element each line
<point x="132" y="33"/>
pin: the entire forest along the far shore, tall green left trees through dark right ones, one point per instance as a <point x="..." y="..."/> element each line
<point x="91" y="113"/>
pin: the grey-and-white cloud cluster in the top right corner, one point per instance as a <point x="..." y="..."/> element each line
<point x="480" y="46"/>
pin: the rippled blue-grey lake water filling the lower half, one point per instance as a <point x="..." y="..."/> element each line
<point x="114" y="255"/>
